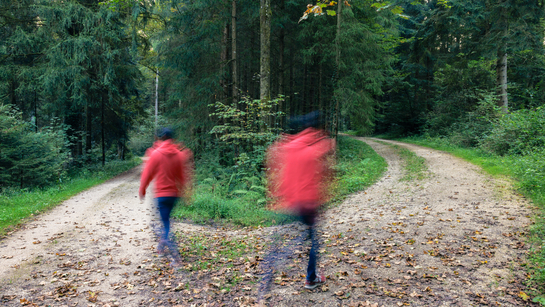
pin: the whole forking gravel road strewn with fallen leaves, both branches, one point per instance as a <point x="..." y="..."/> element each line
<point x="455" y="238"/>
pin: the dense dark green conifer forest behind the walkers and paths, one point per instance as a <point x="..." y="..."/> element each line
<point x="80" y="79"/>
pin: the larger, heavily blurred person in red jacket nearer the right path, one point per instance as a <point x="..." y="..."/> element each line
<point x="299" y="170"/>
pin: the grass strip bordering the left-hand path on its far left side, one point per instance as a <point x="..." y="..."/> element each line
<point x="16" y="205"/>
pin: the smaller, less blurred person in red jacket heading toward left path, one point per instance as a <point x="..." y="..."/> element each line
<point x="171" y="167"/>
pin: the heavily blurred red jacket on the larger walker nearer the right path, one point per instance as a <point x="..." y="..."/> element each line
<point x="298" y="167"/>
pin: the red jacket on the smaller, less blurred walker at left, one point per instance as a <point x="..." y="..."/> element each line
<point x="172" y="169"/>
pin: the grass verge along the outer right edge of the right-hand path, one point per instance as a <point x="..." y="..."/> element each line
<point x="528" y="173"/>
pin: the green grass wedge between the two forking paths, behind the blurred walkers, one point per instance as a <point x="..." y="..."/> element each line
<point x="358" y="166"/>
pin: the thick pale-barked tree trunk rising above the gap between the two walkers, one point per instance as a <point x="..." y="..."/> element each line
<point x="265" y="70"/>
